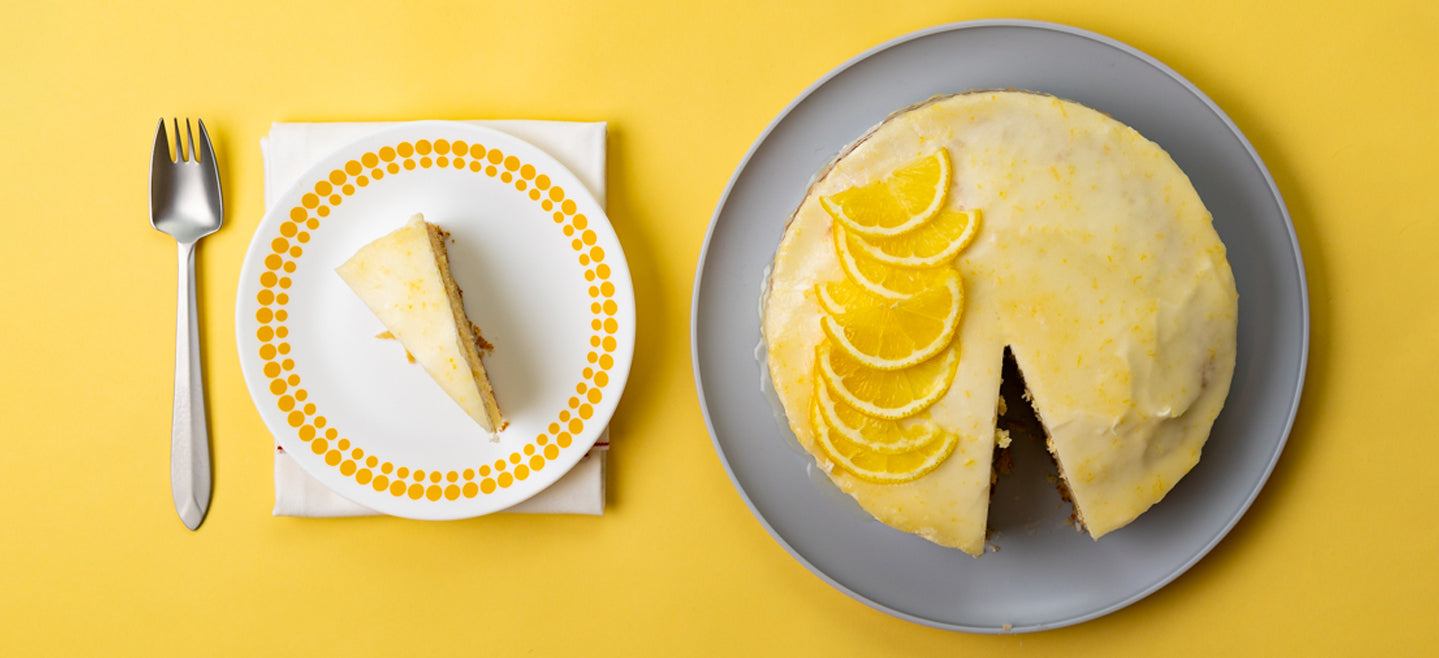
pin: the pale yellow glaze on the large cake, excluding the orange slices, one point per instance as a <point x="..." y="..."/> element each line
<point x="1097" y="264"/>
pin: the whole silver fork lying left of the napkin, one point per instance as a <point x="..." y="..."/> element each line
<point x="185" y="202"/>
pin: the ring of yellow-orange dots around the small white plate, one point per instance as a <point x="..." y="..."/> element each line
<point x="280" y="366"/>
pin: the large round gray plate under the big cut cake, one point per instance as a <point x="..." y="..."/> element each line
<point x="1045" y="575"/>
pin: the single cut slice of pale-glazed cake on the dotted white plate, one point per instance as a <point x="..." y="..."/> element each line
<point x="405" y="280"/>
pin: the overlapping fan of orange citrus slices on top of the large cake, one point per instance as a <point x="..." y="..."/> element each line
<point x="890" y="348"/>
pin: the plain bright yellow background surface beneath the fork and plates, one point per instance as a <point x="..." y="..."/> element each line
<point x="1340" y="554"/>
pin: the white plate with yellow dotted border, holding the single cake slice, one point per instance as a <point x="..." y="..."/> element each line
<point x="543" y="276"/>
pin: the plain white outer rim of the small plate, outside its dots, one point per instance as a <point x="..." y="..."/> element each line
<point x="619" y="264"/>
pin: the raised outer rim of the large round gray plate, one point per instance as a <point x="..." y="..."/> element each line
<point x="1047" y="27"/>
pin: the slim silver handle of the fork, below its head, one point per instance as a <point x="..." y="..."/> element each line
<point x="189" y="434"/>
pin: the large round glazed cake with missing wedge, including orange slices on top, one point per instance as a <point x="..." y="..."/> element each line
<point x="1060" y="234"/>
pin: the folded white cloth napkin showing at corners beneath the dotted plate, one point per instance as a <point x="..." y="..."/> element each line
<point x="290" y="150"/>
